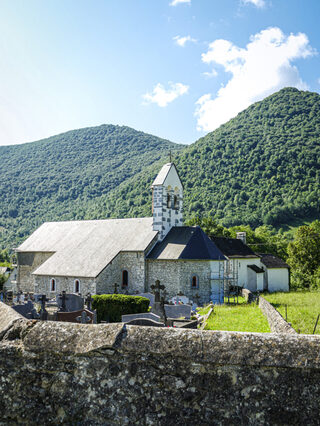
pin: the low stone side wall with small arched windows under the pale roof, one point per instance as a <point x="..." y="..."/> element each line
<point x="42" y="285"/>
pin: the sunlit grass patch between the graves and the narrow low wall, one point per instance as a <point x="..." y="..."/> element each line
<point x="242" y="317"/>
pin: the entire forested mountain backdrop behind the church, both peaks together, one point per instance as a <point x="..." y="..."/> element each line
<point x="262" y="167"/>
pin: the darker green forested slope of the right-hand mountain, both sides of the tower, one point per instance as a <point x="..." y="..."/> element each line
<point x="262" y="167"/>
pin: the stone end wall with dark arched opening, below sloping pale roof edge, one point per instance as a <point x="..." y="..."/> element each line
<point x="134" y="263"/>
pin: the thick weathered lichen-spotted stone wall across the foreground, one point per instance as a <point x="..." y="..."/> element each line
<point x="62" y="373"/>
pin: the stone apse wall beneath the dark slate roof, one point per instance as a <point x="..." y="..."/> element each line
<point x="176" y="276"/>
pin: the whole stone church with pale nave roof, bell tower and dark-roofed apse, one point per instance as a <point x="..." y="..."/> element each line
<point x="91" y="256"/>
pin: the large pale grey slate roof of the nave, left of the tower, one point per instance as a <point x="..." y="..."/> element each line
<point x="85" y="248"/>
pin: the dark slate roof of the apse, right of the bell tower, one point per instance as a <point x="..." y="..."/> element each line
<point x="186" y="242"/>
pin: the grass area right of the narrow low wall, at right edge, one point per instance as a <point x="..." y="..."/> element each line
<point x="303" y="308"/>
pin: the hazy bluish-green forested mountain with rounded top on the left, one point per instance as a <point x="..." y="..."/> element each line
<point x="56" y="178"/>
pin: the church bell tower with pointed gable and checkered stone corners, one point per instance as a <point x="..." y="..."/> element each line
<point x="167" y="200"/>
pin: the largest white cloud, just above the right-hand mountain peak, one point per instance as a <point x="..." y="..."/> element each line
<point x="258" y="70"/>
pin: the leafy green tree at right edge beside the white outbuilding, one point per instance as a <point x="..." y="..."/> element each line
<point x="304" y="257"/>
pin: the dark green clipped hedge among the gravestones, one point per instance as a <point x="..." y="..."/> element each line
<point x="110" y="307"/>
